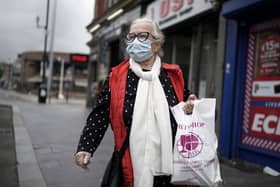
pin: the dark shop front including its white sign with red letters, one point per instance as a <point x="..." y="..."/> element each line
<point x="191" y="35"/>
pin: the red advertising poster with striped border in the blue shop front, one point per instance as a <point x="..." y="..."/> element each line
<point x="261" y="117"/>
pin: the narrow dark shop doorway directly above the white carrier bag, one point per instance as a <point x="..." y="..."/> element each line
<point x="203" y="67"/>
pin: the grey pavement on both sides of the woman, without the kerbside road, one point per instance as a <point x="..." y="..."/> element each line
<point x="54" y="131"/>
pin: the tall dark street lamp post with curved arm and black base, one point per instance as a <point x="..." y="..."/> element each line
<point x="42" y="98"/>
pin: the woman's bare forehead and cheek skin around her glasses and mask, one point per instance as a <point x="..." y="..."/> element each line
<point x="146" y="27"/>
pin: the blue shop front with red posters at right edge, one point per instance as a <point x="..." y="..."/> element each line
<point x="251" y="95"/>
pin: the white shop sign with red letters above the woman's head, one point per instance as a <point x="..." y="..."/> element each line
<point x="169" y="12"/>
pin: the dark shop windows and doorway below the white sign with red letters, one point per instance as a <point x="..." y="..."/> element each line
<point x="194" y="49"/>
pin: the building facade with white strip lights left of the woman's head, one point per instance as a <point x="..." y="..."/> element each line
<point x="107" y="46"/>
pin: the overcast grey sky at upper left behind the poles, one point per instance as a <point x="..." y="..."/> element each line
<point x="18" y="32"/>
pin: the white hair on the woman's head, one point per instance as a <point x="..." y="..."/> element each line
<point x="156" y="31"/>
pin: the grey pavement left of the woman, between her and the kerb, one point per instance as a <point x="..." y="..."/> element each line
<point x="54" y="130"/>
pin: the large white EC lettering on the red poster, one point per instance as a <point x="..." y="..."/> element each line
<point x="269" y="124"/>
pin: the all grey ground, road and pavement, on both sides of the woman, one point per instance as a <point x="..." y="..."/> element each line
<point x="37" y="143"/>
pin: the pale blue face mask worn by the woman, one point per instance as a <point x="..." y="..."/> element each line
<point x="139" y="51"/>
